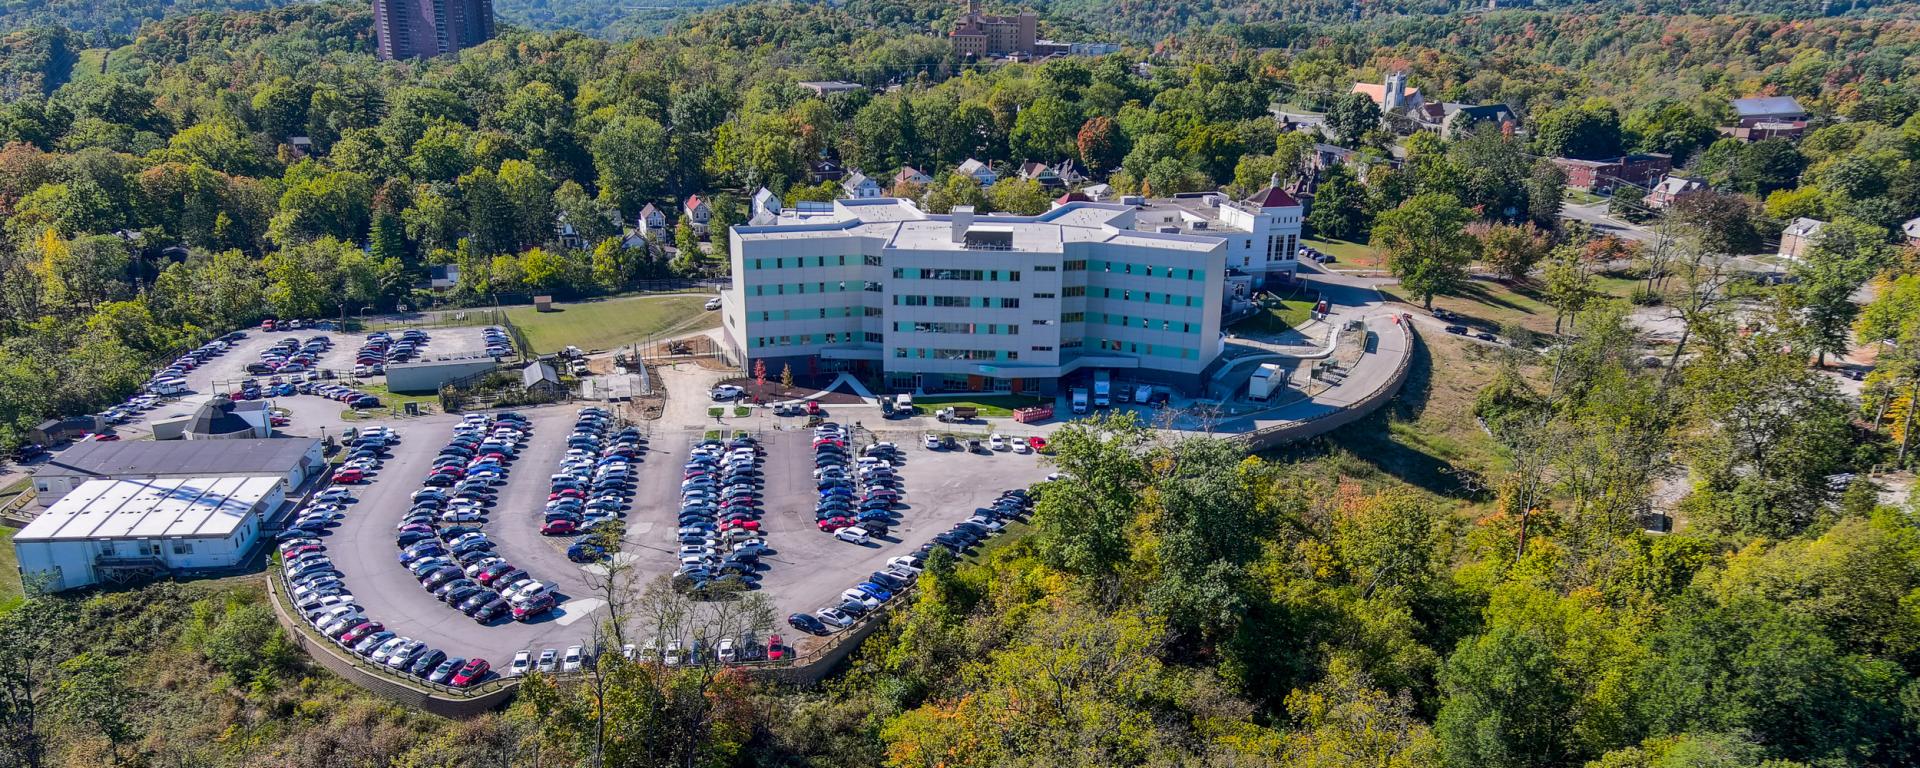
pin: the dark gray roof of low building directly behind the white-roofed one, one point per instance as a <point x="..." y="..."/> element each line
<point x="180" y="458"/>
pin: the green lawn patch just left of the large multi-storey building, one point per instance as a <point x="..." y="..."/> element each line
<point x="612" y="324"/>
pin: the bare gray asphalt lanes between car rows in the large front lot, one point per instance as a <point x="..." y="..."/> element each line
<point x="807" y="569"/>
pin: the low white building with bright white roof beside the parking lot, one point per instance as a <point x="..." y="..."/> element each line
<point x="114" y="531"/>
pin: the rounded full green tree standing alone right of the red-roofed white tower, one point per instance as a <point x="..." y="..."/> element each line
<point x="1426" y="245"/>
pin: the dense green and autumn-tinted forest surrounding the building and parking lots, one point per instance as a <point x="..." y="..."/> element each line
<point x="1460" y="585"/>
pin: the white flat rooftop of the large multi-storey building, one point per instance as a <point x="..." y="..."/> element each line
<point x="900" y="224"/>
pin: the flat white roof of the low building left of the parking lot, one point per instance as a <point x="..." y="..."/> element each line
<point x="151" y="510"/>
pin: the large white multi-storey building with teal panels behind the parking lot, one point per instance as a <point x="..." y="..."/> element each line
<point x="972" y="302"/>
